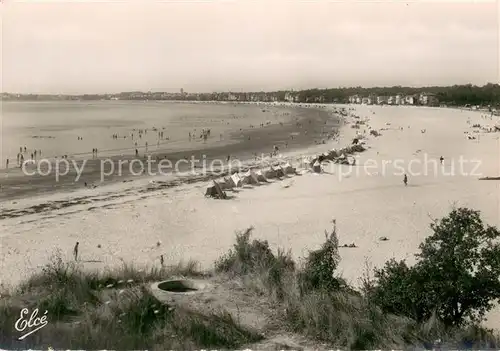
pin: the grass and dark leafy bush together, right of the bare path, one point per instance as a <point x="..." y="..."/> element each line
<point x="443" y="297"/>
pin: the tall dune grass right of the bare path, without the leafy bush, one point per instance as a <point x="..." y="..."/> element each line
<point x="319" y="304"/>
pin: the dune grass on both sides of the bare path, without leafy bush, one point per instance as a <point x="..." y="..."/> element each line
<point x="114" y="309"/>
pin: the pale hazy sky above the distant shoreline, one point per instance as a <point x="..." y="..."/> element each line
<point x="75" y="47"/>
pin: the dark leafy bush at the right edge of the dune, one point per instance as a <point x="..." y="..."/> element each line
<point x="456" y="276"/>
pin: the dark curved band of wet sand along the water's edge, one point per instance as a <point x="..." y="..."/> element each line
<point x="241" y="145"/>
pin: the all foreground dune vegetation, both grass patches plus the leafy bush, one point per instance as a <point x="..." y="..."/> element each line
<point x="442" y="297"/>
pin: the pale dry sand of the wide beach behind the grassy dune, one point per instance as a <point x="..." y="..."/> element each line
<point x="128" y="222"/>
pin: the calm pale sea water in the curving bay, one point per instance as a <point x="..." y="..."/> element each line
<point x="55" y="127"/>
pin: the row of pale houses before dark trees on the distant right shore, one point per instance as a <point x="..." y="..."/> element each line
<point x="428" y="99"/>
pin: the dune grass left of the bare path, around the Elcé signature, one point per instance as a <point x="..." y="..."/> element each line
<point x="113" y="310"/>
